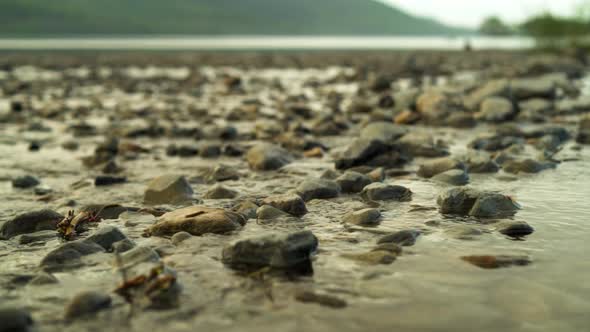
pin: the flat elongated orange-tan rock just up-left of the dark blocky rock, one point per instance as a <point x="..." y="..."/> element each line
<point x="197" y="220"/>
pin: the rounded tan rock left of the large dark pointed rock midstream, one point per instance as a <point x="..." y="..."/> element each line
<point x="267" y="157"/>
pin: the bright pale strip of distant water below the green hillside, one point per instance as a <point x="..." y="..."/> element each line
<point x="267" y="43"/>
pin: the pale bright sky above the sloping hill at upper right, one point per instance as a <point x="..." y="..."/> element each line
<point x="471" y="12"/>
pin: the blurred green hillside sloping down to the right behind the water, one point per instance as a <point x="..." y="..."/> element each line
<point x="211" y="17"/>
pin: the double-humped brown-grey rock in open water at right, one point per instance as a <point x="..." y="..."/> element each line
<point x="469" y="202"/>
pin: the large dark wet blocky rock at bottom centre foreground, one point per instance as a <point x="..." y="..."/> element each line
<point x="290" y="252"/>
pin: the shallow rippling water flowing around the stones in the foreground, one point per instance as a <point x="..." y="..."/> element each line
<point x="428" y="288"/>
